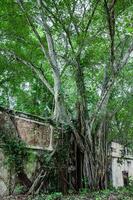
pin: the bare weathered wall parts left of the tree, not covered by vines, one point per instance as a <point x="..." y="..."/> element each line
<point x="35" y="134"/>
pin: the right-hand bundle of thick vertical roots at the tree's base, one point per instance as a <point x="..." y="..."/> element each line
<point x="95" y="159"/>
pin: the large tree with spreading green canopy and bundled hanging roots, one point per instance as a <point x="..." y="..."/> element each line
<point x="69" y="59"/>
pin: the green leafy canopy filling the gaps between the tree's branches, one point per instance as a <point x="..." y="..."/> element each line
<point x="31" y="95"/>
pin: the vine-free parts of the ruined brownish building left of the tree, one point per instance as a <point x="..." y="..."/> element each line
<point x="36" y="134"/>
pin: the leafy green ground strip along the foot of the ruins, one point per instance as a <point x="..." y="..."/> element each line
<point x="114" y="194"/>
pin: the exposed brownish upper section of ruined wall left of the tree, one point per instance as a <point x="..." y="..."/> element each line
<point x="34" y="133"/>
